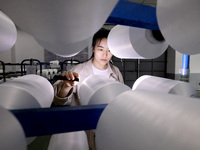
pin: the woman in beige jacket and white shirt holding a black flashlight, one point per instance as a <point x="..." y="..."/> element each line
<point x="66" y="93"/>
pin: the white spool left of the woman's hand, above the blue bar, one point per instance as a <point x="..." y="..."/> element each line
<point x="27" y="91"/>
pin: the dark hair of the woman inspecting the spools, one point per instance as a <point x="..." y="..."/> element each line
<point x="99" y="35"/>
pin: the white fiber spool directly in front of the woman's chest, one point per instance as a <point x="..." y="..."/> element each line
<point x="98" y="89"/>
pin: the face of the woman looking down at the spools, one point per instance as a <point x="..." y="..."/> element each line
<point x="102" y="54"/>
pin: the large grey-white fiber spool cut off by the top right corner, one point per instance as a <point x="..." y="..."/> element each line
<point x="179" y="23"/>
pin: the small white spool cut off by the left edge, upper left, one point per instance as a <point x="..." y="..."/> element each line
<point x="8" y="32"/>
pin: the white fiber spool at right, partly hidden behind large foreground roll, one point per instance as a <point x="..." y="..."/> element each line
<point x="152" y="83"/>
